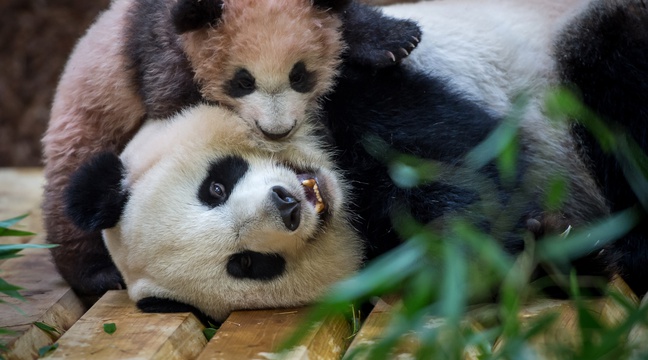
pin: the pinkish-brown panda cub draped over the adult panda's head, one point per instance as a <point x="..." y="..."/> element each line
<point x="270" y="61"/>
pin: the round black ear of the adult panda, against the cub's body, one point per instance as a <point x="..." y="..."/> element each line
<point x="94" y="199"/>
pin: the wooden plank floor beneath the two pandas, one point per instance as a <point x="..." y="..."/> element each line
<point x="244" y="335"/>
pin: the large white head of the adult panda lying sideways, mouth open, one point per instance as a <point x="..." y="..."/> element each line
<point x="197" y="212"/>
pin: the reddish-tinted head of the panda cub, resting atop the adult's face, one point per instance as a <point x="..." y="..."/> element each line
<point x="269" y="61"/>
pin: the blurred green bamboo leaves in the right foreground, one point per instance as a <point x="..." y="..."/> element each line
<point x="441" y="274"/>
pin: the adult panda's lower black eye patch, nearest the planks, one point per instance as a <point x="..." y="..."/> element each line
<point x="256" y="266"/>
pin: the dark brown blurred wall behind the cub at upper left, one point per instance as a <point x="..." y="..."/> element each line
<point x="36" y="37"/>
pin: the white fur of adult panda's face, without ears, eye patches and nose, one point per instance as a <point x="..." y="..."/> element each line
<point x="170" y="245"/>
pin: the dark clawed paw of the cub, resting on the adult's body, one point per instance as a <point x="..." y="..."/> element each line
<point x="376" y="40"/>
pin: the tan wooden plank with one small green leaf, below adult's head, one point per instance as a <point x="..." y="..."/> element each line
<point x="138" y="335"/>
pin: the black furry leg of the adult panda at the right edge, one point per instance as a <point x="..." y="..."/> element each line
<point x="604" y="55"/>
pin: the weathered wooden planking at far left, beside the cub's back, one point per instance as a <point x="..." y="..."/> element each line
<point x="48" y="298"/>
